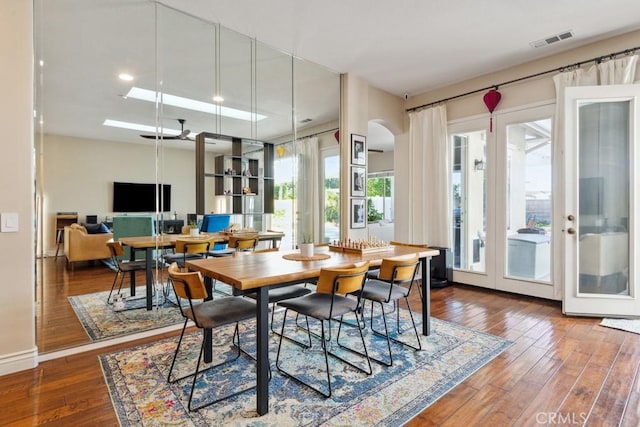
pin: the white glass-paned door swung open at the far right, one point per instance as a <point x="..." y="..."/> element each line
<point x="601" y="203"/>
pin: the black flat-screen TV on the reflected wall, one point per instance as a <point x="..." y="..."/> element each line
<point x="136" y="197"/>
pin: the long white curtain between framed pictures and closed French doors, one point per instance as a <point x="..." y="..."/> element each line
<point x="429" y="185"/>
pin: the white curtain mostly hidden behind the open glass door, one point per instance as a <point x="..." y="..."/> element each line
<point x="617" y="71"/>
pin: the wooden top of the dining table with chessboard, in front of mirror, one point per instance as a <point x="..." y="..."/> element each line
<point x="247" y="270"/>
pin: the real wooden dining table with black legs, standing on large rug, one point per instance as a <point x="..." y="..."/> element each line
<point x="249" y="272"/>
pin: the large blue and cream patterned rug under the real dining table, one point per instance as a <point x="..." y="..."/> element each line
<point x="391" y="396"/>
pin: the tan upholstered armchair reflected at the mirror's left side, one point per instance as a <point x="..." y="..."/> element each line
<point x="79" y="245"/>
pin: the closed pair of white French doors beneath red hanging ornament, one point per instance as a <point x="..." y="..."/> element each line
<point x="503" y="233"/>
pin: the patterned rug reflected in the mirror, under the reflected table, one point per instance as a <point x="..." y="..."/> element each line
<point x="101" y="321"/>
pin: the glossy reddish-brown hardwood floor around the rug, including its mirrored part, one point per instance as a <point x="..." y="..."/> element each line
<point x="559" y="371"/>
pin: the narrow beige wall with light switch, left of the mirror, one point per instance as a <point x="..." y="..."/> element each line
<point x="17" y="322"/>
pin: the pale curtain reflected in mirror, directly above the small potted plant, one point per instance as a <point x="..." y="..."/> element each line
<point x="307" y="189"/>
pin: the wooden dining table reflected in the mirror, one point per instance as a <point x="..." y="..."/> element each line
<point x="149" y="244"/>
